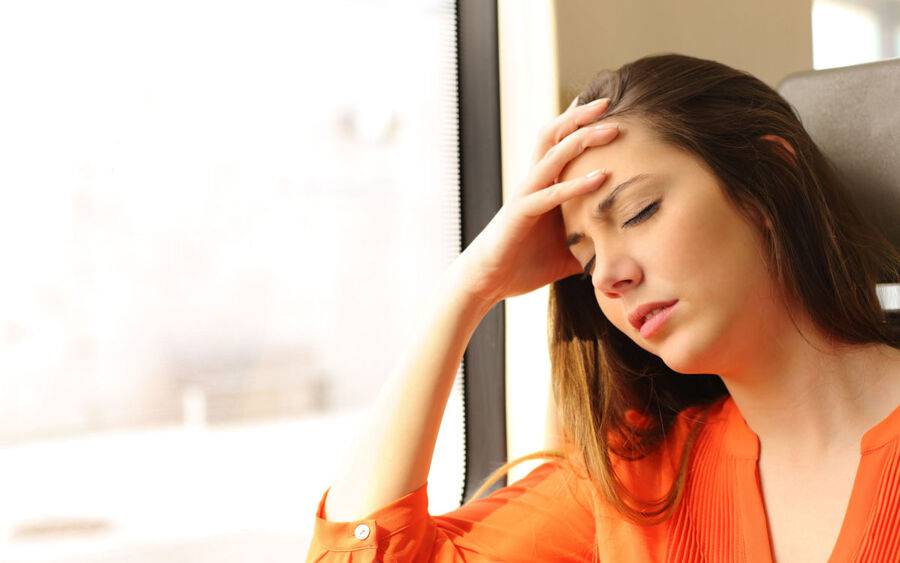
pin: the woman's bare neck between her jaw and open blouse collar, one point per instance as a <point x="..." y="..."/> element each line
<point x="811" y="399"/>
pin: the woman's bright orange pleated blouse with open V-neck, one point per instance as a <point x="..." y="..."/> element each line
<point x="546" y="515"/>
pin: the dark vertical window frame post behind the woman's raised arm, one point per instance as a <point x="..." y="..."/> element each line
<point x="481" y="196"/>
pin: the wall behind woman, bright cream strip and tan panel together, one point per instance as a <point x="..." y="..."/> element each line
<point x="549" y="50"/>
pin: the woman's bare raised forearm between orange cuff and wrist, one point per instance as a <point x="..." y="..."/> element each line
<point x="392" y="454"/>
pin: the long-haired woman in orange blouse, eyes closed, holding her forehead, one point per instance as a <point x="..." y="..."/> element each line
<point x="752" y="415"/>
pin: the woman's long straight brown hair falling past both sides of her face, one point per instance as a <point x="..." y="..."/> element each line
<point x="800" y="206"/>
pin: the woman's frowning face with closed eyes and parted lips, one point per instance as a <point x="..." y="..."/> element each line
<point x="685" y="241"/>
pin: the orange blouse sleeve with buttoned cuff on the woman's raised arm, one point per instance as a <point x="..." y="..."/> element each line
<point x="545" y="516"/>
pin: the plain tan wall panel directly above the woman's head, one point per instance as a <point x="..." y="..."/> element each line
<point x="768" y="38"/>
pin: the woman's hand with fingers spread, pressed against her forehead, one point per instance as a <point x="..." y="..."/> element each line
<point x="523" y="247"/>
